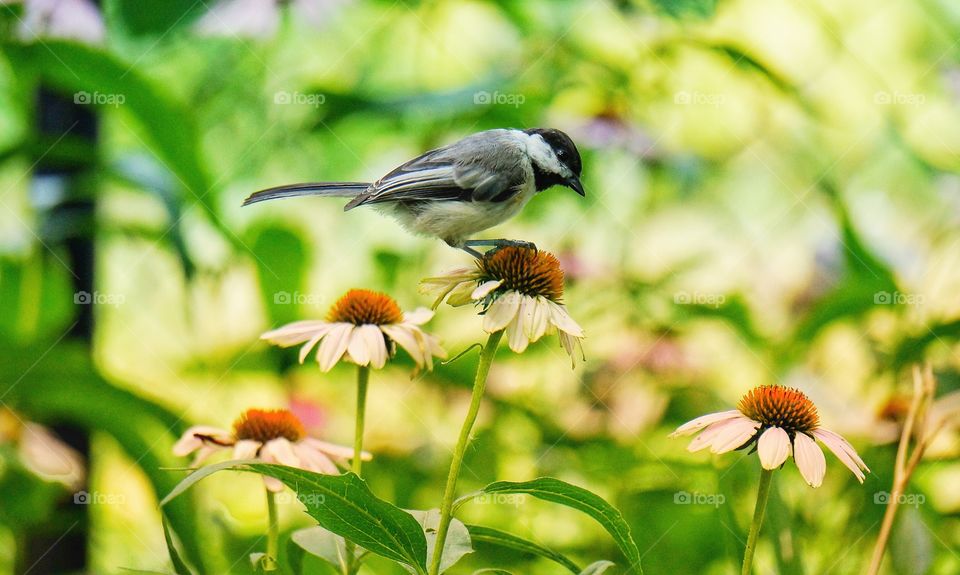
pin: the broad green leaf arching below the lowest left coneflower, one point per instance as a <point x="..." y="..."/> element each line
<point x="342" y="504"/>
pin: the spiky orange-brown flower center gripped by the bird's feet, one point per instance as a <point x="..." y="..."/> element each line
<point x="530" y="272"/>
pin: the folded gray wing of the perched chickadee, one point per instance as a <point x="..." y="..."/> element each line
<point x="464" y="171"/>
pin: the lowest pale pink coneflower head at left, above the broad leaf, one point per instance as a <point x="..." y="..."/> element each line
<point x="271" y="436"/>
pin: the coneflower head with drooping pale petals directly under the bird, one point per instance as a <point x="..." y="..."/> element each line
<point x="519" y="289"/>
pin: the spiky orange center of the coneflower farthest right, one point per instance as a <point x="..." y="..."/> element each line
<point x="779" y="406"/>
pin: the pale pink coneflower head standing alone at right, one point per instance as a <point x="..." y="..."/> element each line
<point x="783" y="422"/>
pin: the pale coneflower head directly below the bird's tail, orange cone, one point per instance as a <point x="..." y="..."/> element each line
<point x="362" y="327"/>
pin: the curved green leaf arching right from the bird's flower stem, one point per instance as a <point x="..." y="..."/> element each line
<point x="557" y="491"/>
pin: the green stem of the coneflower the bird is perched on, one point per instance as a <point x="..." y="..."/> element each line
<point x="446" y="508"/>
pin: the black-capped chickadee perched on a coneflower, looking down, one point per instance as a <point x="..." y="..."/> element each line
<point x="458" y="190"/>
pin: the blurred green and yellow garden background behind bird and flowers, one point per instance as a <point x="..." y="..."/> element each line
<point x="772" y="197"/>
